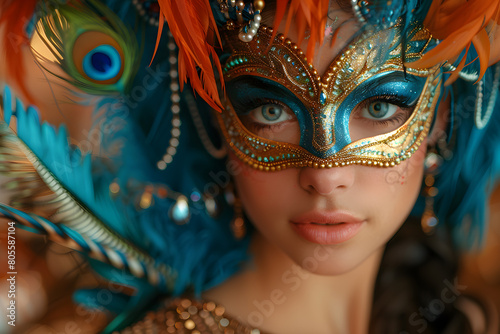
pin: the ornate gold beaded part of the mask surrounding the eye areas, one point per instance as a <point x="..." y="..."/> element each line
<point x="282" y="62"/>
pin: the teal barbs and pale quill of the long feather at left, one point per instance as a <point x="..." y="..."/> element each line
<point x="40" y="152"/>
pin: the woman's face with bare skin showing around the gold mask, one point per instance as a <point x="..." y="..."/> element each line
<point x="346" y="212"/>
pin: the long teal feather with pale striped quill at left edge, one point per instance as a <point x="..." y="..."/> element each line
<point x="44" y="174"/>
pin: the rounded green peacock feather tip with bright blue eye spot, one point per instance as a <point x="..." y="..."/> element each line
<point x="94" y="48"/>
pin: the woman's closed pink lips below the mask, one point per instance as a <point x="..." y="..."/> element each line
<point x="327" y="228"/>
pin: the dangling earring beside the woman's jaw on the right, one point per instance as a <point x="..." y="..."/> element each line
<point x="429" y="219"/>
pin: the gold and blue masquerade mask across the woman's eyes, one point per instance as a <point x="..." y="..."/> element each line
<point x="366" y="109"/>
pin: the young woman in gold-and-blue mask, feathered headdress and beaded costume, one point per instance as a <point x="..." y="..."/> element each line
<point x="343" y="123"/>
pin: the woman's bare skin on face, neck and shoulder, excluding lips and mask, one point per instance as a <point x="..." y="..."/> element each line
<point x="292" y="279"/>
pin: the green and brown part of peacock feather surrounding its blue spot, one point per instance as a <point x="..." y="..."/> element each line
<point x="60" y="25"/>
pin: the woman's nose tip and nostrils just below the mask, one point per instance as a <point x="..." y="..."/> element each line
<point x="326" y="181"/>
